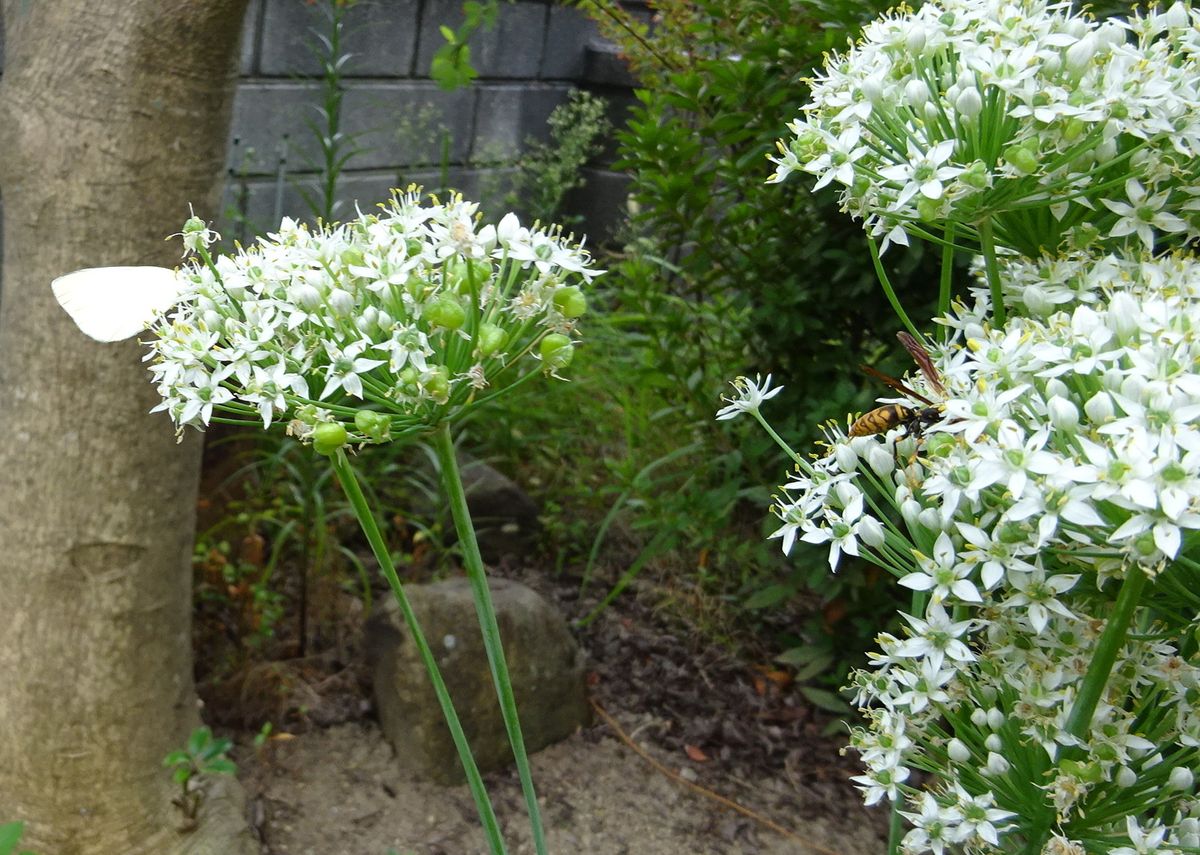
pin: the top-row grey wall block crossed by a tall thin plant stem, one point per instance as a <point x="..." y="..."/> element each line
<point x="381" y="35"/>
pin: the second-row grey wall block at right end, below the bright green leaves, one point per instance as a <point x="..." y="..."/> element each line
<point x="508" y="116"/>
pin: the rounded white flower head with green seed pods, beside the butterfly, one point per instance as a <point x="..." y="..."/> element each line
<point x="405" y="315"/>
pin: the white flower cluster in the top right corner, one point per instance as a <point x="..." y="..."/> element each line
<point x="1054" y="129"/>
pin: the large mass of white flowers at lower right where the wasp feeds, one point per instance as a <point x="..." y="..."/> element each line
<point x="1067" y="458"/>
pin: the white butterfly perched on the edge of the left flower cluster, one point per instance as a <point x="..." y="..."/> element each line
<point x="112" y="304"/>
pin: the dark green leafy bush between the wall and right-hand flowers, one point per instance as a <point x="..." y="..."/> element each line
<point x="722" y="80"/>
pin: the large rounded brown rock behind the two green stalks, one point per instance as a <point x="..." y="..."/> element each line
<point x="545" y="665"/>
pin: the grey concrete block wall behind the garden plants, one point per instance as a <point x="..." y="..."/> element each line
<point x="409" y="130"/>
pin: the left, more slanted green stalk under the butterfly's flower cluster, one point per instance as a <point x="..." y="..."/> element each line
<point x="367" y="519"/>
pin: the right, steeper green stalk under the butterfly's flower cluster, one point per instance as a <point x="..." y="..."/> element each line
<point x="453" y="482"/>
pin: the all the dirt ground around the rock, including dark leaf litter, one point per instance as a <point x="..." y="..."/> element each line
<point x="334" y="787"/>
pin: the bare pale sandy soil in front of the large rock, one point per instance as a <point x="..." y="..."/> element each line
<point x="341" y="792"/>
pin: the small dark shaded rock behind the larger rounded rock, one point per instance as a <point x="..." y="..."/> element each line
<point x="505" y="516"/>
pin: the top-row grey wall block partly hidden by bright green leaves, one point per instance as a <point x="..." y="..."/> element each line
<point x="509" y="51"/>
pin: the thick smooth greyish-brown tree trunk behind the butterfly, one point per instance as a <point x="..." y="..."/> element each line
<point x="113" y="118"/>
